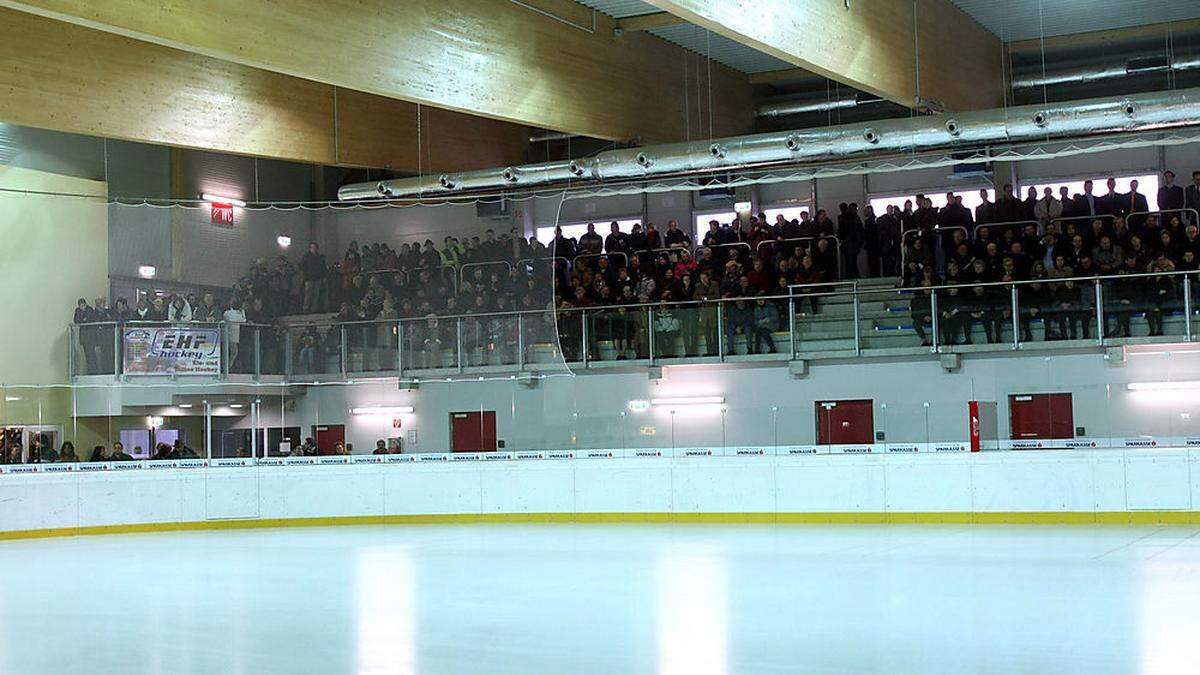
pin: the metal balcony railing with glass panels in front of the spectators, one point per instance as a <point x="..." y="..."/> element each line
<point x="839" y="320"/>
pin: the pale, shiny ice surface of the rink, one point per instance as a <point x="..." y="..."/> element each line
<point x="613" y="599"/>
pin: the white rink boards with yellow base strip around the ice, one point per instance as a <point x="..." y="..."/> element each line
<point x="1108" y="486"/>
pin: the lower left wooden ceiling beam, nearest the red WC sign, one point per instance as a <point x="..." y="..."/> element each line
<point x="75" y="80"/>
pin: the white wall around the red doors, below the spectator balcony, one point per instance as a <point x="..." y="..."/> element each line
<point x="766" y="405"/>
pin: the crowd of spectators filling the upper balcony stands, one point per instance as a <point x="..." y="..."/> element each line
<point x="749" y="262"/>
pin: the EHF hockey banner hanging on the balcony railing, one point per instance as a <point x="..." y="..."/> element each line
<point x="172" y="351"/>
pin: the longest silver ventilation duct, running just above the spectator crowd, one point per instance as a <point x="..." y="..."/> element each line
<point x="1071" y="120"/>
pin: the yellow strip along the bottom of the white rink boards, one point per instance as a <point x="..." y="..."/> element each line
<point x="851" y="518"/>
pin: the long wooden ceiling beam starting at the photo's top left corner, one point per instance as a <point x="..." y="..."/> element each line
<point x="531" y="64"/>
